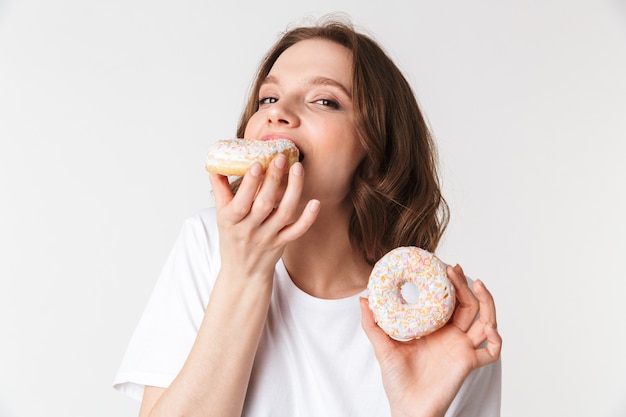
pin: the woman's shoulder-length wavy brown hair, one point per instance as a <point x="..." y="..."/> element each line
<point x="396" y="192"/>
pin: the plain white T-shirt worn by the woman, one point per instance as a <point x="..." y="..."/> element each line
<point x="314" y="358"/>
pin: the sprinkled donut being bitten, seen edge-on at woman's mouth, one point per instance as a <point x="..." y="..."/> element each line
<point x="235" y="156"/>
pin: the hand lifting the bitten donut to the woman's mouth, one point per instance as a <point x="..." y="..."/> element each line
<point x="260" y="219"/>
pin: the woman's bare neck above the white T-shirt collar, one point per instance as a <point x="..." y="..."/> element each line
<point x="323" y="262"/>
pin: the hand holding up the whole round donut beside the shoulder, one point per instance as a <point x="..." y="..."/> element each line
<point x="430" y="370"/>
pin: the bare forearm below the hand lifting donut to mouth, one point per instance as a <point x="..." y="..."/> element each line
<point x="214" y="379"/>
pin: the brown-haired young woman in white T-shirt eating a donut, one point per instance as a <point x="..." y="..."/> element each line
<point x="259" y="308"/>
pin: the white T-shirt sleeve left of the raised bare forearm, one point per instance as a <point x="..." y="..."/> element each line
<point x="171" y="319"/>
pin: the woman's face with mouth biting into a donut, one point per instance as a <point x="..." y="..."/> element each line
<point x="307" y="97"/>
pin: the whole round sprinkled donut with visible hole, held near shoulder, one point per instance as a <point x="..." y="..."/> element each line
<point x="410" y="294"/>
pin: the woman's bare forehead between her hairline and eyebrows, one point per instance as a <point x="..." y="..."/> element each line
<point x="315" y="58"/>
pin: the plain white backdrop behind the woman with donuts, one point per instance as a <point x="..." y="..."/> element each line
<point x="107" y="109"/>
